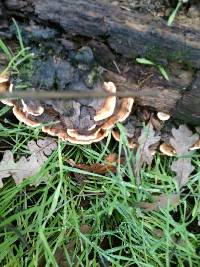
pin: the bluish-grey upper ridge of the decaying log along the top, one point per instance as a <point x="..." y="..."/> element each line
<point x="127" y="33"/>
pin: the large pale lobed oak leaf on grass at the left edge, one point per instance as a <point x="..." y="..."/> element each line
<point x="26" y="166"/>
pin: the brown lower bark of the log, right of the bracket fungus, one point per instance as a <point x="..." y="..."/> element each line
<point x="166" y="96"/>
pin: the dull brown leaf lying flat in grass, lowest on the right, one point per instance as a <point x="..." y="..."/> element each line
<point x="160" y="202"/>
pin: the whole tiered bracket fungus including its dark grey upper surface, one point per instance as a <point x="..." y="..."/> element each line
<point x="79" y="121"/>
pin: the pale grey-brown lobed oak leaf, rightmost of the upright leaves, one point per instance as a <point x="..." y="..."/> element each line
<point x="183" y="139"/>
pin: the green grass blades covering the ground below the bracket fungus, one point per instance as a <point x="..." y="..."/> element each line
<point x="38" y="222"/>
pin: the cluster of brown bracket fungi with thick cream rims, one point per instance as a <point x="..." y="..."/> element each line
<point x="110" y="112"/>
